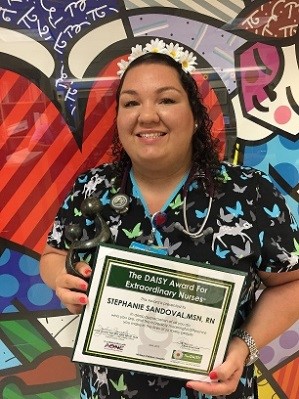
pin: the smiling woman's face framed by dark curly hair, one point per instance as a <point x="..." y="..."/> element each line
<point x="155" y="121"/>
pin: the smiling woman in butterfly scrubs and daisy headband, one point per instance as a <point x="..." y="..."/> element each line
<point x="165" y="150"/>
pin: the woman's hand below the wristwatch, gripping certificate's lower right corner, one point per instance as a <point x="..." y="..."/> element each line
<point x="225" y="378"/>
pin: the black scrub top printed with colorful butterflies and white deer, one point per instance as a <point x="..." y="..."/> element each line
<point x="252" y="230"/>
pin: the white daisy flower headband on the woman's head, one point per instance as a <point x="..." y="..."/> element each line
<point x="184" y="57"/>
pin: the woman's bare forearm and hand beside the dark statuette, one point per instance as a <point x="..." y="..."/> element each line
<point x="71" y="290"/>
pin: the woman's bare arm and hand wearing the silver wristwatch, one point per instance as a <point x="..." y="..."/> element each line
<point x="275" y="311"/>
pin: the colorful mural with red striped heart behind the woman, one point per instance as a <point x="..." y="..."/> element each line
<point x="57" y="79"/>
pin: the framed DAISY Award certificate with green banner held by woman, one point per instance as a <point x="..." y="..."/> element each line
<point x="157" y="314"/>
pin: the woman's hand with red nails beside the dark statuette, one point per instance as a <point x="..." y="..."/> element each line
<point x="71" y="290"/>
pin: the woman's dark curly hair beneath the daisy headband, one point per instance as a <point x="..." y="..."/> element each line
<point x="205" y="147"/>
